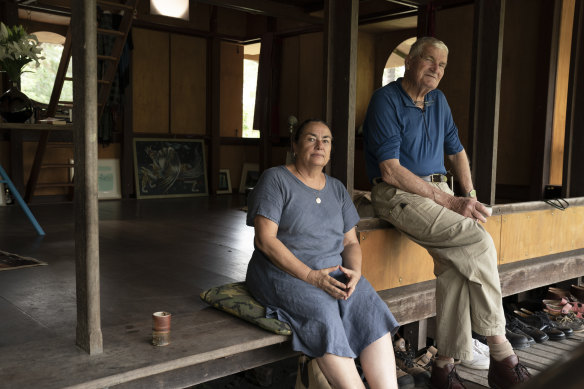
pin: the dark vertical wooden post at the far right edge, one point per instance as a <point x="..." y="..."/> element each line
<point x="573" y="180"/>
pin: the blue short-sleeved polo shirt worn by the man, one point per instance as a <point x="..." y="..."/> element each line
<point x="395" y="128"/>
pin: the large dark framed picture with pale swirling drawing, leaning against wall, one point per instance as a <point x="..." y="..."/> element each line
<point x="165" y="168"/>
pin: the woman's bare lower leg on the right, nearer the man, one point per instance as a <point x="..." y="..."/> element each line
<point x="378" y="364"/>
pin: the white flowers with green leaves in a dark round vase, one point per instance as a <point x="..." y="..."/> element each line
<point x="17" y="48"/>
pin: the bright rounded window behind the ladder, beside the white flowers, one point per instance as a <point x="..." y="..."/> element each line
<point x="37" y="83"/>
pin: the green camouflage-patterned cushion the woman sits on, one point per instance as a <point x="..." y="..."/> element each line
<point x="235" y="299"/>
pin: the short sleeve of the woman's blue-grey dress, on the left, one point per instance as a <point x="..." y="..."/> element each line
<point x="267" y="198"/>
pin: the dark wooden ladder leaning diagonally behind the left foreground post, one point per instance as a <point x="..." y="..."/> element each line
<point x="111" y="61"/>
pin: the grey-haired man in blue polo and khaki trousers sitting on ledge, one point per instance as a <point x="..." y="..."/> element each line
<point x="408" y="129"/>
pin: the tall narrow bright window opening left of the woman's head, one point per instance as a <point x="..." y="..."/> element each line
<point x="251" y="58"/>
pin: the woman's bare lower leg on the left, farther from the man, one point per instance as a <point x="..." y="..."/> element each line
<point x="340" y="372"/>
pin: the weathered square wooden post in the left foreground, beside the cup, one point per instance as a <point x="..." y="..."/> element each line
<point x="84" y="27"/>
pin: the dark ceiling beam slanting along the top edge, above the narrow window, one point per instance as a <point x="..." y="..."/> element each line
<point x="266" y="8"/>
